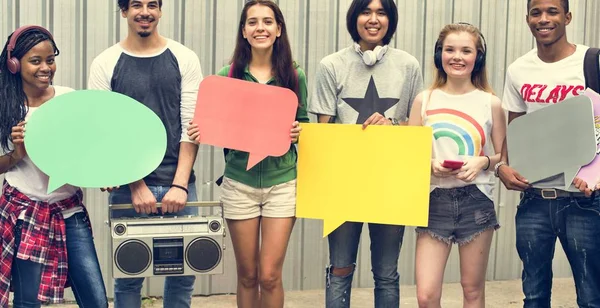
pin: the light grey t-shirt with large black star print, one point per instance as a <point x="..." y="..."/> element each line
<point x="351" y="91"/>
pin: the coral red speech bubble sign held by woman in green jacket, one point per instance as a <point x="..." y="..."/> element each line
<point x="245" y="116"/>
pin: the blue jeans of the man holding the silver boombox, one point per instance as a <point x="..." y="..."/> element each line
<point x="178" y="289"/>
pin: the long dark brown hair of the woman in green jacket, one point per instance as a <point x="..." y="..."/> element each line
<point x="281" y="58"/>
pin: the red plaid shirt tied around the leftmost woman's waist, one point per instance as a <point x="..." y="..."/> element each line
<point x="43" y="240"/>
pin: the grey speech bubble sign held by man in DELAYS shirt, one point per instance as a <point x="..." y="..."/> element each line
<point x="554" y="140"/>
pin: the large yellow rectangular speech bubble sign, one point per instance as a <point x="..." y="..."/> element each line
<point x="377" y="175"/>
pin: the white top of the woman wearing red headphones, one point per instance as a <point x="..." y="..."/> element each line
<point x="32" y="182"/>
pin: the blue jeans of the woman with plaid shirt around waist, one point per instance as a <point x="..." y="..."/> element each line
<point x="84" y="270"/>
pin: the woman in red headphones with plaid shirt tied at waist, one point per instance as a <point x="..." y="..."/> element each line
<point x="47" y="241"/>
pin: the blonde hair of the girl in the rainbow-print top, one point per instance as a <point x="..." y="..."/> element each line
<point x="479" y="77"/>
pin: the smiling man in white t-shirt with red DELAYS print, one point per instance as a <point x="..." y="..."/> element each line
<point x="547" y="75"/>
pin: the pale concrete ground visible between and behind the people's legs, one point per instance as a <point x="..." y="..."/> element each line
<point x="499" y="294"/>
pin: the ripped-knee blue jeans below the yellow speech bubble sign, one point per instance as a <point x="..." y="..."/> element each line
<point x="386" y="241"/>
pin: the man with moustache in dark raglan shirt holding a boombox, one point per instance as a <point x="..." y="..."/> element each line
<point x="163" y="75"/>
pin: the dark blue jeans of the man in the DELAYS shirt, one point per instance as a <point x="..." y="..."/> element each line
<point x="575" y="221"/>
